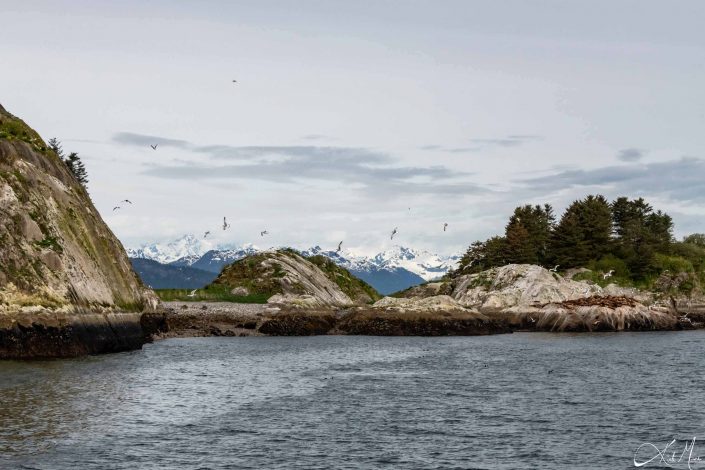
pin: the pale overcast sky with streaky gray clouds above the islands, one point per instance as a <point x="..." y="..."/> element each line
<point x="351" y="118"/>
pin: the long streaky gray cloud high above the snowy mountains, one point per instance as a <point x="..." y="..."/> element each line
<point x="364" y="168"/>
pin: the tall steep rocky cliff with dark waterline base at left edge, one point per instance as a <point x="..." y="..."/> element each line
<point x="66" y="284"/>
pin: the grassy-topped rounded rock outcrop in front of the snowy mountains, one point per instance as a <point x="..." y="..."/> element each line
<point x="294" y="281"/>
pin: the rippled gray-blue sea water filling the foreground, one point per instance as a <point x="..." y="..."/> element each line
<point x="518" y="401"/>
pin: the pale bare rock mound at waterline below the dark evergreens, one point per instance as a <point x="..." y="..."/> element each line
<point x="532" y="297"/>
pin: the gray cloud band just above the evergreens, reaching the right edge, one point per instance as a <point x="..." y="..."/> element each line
<point x="677" y="180"/>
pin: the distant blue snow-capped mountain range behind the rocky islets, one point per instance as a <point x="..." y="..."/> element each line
<point x="191" y="262"/>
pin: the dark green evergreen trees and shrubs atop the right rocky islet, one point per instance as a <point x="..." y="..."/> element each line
<point x="624" y="235"/>
